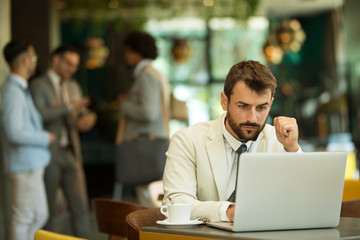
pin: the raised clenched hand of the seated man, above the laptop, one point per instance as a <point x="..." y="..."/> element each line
<point x="287" y="133"/>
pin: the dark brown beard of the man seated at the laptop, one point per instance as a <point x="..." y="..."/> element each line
<point x="242" y="134"/>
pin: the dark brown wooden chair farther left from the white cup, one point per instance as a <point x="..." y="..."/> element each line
<point x="111" y="216"/>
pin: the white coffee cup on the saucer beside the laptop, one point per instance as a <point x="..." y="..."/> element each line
<point x="177" y="213"/>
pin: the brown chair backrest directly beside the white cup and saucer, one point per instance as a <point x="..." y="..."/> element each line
<point x="138" y="219"/>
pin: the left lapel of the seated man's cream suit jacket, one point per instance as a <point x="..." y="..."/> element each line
<point x="217" y="157"/>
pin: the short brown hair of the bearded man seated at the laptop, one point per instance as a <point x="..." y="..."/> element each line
<point x="255" y="75"/>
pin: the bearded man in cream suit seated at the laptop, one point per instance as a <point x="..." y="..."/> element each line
<point x="202" y="159"/>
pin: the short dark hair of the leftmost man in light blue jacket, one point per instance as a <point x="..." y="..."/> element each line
<point x="14" y="48"/>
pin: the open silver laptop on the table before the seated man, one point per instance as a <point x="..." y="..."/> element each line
<point x="278" y="191"/>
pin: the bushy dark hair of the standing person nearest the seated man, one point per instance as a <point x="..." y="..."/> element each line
<point x="142" y="43"/>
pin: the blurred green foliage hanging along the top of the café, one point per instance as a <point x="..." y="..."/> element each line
<point x="135" y="13"/>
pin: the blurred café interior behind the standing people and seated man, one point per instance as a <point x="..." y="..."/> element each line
<point x="311" y="46"/>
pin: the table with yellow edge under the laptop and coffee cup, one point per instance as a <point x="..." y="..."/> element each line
<point x="349" y="228"/>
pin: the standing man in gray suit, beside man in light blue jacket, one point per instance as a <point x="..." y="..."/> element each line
<point x="63" y="108"/>
